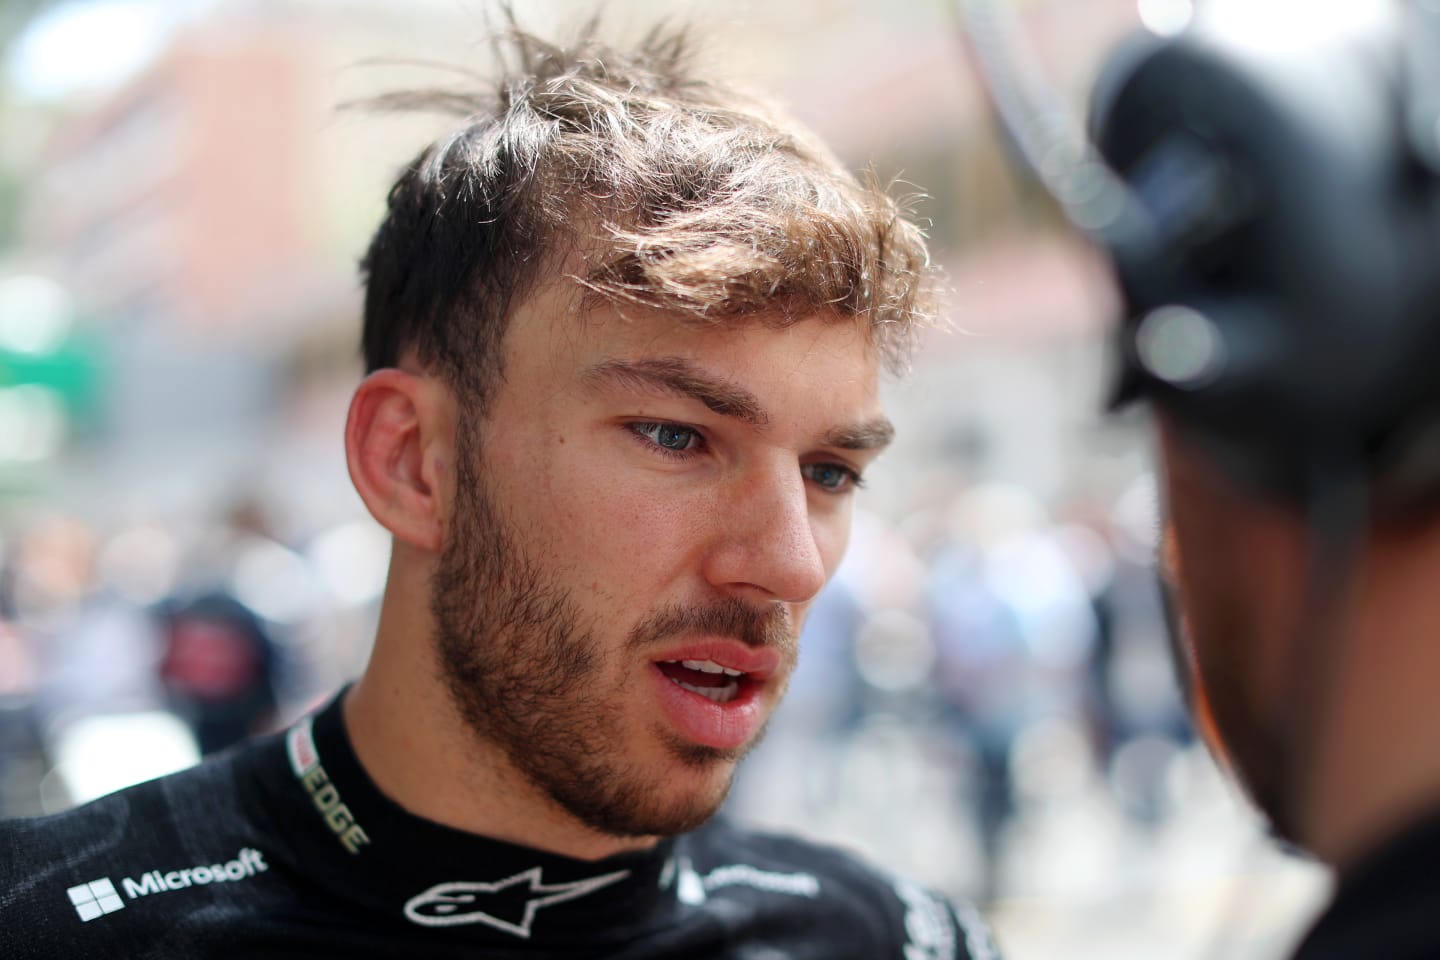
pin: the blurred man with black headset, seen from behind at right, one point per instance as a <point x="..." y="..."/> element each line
<point x="1284" y="323"/>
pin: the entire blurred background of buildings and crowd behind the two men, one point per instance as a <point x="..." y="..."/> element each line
<point x="984" y="699"/>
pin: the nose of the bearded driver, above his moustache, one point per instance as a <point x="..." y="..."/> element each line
<point x="767" y="545"/>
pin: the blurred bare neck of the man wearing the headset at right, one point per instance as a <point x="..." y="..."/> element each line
<point x="1379" y="768"/>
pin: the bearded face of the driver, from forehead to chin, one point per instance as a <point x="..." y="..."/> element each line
<point x="640" y="525"/>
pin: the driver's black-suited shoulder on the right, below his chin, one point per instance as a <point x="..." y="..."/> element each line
<point x="843" y="890"/>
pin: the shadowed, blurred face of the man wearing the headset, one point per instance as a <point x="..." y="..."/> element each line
<point x="1235" y="566"/>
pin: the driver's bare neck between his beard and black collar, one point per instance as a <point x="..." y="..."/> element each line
<point x="421" y="753"/>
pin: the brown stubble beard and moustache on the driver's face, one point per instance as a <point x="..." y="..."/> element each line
<point x="521" y="667"/>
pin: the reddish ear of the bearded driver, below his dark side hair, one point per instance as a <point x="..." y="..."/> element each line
<point x="400" y="440"/>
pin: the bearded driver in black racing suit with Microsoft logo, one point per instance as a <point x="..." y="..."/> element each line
<point x="624" y="332"/>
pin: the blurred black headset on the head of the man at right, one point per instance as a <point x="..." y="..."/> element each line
<point x="1281" y="267"/>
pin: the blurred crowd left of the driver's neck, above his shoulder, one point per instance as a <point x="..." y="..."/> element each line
<point x="133" y="653"/>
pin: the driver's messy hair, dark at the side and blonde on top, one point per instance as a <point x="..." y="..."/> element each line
<point x="685" y="195"/>
